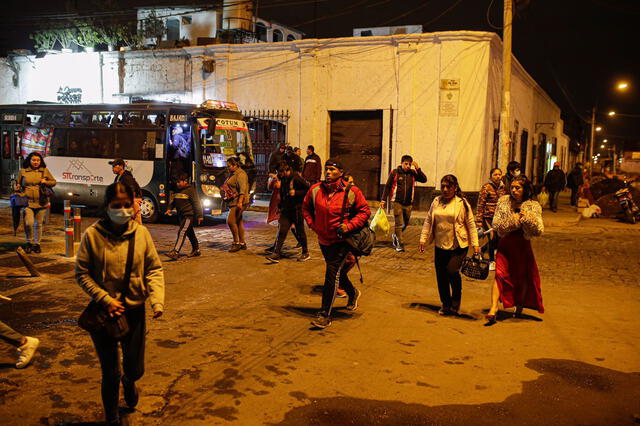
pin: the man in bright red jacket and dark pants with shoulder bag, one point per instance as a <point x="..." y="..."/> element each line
<point x="322" y="209"/>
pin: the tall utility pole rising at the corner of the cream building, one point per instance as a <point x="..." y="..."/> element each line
<point x="505" y="113"/>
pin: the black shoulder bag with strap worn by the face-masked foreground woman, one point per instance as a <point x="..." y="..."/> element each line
<point x="96" y="319"/>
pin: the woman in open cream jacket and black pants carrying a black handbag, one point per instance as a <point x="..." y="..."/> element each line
<point x="450" y="225"/>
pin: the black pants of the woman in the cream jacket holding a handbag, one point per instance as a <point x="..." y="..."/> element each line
<point x="448" y="263"/>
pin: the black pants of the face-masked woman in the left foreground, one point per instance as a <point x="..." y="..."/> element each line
<point x="132" y="357"/>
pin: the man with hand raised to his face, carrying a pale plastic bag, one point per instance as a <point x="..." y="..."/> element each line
<point x="400" y="189"/>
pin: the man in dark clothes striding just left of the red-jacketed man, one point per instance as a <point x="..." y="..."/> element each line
<point x="292" y="191"/>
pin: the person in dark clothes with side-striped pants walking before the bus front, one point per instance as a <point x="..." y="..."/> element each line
<point x="187" y="204"/>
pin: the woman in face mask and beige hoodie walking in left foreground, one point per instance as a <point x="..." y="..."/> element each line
<point x="100" y="271"/>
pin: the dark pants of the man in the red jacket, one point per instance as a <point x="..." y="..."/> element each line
<point x="335" y="256"/>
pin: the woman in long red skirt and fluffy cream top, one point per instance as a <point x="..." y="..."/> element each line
<point x="518" y="218"/>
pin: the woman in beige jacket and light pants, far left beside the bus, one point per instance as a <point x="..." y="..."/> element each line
<point x="33" y="175"/>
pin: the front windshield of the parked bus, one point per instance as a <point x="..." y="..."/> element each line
<point x="230" y="139"/>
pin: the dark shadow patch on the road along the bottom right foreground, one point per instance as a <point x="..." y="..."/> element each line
<point x="566" y="393"/>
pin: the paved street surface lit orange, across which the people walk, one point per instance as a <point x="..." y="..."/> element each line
<point x="235" y="346"/>
